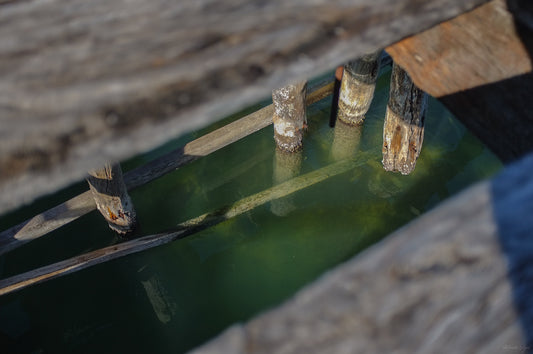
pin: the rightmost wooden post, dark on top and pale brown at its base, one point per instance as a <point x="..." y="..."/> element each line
<point x="403" y="131"/>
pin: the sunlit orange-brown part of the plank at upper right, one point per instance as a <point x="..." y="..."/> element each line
<point x="477" y="48"/>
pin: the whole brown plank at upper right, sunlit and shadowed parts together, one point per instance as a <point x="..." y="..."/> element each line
<point x="480" y="66"/>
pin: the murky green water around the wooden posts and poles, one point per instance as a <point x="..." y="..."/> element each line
<point x="174" y="297"/>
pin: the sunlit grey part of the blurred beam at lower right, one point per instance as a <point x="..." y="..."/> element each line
<point x="438" y="285"/>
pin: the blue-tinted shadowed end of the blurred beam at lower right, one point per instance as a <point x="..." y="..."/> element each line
<point x="512" y="195"/>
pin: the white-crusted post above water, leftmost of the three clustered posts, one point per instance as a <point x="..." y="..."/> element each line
<point x="289" y="116"/>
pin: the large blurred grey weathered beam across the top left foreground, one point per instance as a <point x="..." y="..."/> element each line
<point x="85" y="83"/>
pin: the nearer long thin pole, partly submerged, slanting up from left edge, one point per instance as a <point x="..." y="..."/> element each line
<point x="184" y="229"/>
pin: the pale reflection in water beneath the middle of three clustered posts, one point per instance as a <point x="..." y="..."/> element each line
<point x="346" y="140"/>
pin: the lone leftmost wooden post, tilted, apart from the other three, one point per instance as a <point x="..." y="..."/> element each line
<point x="112" y="198"/>
